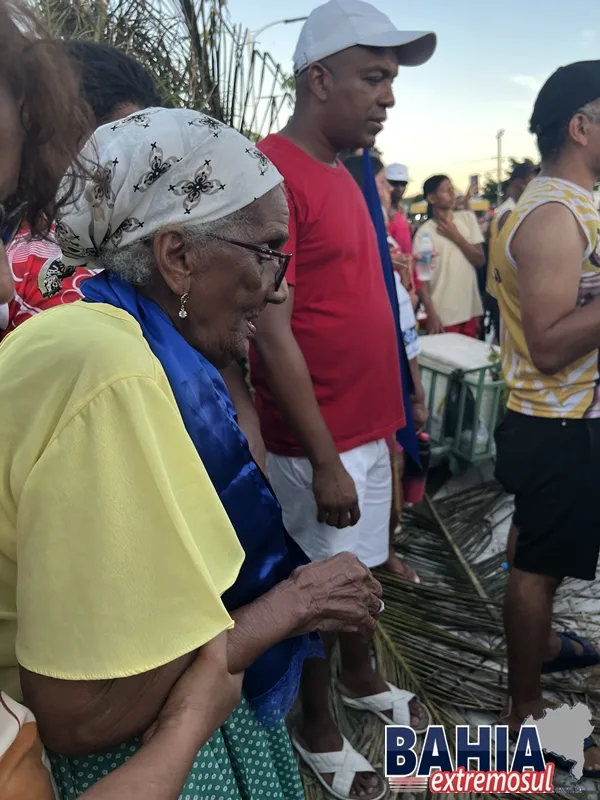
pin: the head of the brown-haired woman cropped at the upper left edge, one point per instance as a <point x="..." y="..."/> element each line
<point x="42" y="121"/>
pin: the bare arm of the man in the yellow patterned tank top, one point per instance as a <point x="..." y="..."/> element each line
<point x="548" y="248"/>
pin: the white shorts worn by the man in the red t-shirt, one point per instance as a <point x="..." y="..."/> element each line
<point x="370" y="468"/>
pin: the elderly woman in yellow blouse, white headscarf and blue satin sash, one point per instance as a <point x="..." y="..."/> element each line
<point x="141" y="526"/>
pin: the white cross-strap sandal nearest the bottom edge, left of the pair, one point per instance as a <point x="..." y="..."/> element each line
<point x="344" y="764"/>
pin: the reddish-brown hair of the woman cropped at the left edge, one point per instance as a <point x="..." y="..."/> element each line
<point x="55" y="119"/>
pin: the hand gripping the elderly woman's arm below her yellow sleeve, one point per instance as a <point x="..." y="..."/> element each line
<point x="205" y="695"/>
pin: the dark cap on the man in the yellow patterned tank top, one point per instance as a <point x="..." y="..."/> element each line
<point x="564" y="93"/>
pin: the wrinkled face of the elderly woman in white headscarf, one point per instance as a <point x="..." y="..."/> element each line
<point x="228" y="285"/>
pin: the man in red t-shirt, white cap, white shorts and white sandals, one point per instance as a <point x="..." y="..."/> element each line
<point x="325" y="364"/>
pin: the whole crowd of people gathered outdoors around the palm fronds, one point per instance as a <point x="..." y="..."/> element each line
<point x="180" y="551"/>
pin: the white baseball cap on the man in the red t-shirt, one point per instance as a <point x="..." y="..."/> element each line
<point x="340" y="24"/>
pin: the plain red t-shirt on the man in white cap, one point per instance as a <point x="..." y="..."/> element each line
<point x="342" y="317"/>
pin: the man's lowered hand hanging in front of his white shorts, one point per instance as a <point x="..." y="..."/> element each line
<point x="335" y="495"/>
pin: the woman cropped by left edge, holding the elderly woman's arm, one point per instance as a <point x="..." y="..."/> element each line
<point x="39" y="135"/>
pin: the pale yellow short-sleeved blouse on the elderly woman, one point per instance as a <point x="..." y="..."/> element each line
<point x="114" y="546"/>
